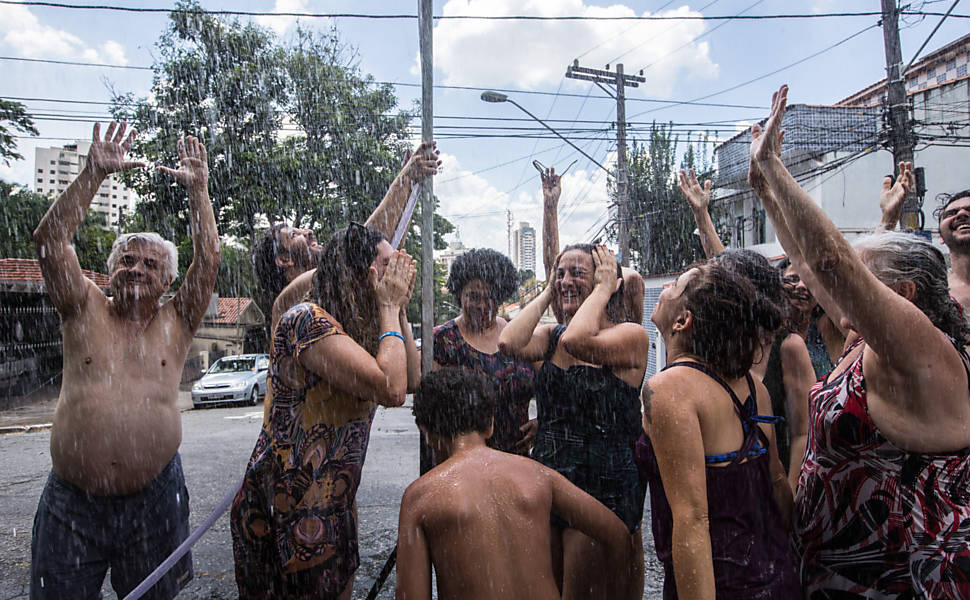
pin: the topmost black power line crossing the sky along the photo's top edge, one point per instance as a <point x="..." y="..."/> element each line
<point x="318" y="15"/>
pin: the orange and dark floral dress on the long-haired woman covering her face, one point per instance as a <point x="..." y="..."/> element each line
<point x="294" y="521"/>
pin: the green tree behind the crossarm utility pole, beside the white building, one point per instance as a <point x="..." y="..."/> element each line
<point x="662" y="226"/>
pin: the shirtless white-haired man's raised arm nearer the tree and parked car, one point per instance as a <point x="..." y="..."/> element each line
<point x="192" y="298"/>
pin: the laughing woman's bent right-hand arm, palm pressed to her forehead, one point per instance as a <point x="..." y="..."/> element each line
<point x="624" y="345"/>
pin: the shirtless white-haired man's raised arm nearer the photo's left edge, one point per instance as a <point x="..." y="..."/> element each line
<point x="65" y="283"/>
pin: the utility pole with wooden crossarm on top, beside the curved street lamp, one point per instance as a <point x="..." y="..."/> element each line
<point x="620" y="82"/>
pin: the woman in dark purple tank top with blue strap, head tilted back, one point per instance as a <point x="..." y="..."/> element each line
<point x="720" y="501"/>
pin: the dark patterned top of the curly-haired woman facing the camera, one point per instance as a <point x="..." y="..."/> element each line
<point x="513" y="380"/>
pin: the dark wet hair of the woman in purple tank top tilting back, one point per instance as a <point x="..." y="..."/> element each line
<point x="729" y="318"/>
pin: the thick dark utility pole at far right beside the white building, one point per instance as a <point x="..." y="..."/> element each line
<point x="901" y="139"/>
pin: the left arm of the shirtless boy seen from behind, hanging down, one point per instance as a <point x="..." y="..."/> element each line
<point x="413" y="554"/>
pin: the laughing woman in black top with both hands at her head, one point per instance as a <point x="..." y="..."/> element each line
<point x="588" y="409"/>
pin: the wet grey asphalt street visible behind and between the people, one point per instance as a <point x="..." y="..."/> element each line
<point x="216" y="444"/>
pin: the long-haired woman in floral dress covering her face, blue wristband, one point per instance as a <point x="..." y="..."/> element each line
<point x="294" y="522"/>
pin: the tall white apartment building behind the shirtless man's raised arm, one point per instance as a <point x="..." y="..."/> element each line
<point x="56" y="168"/>
